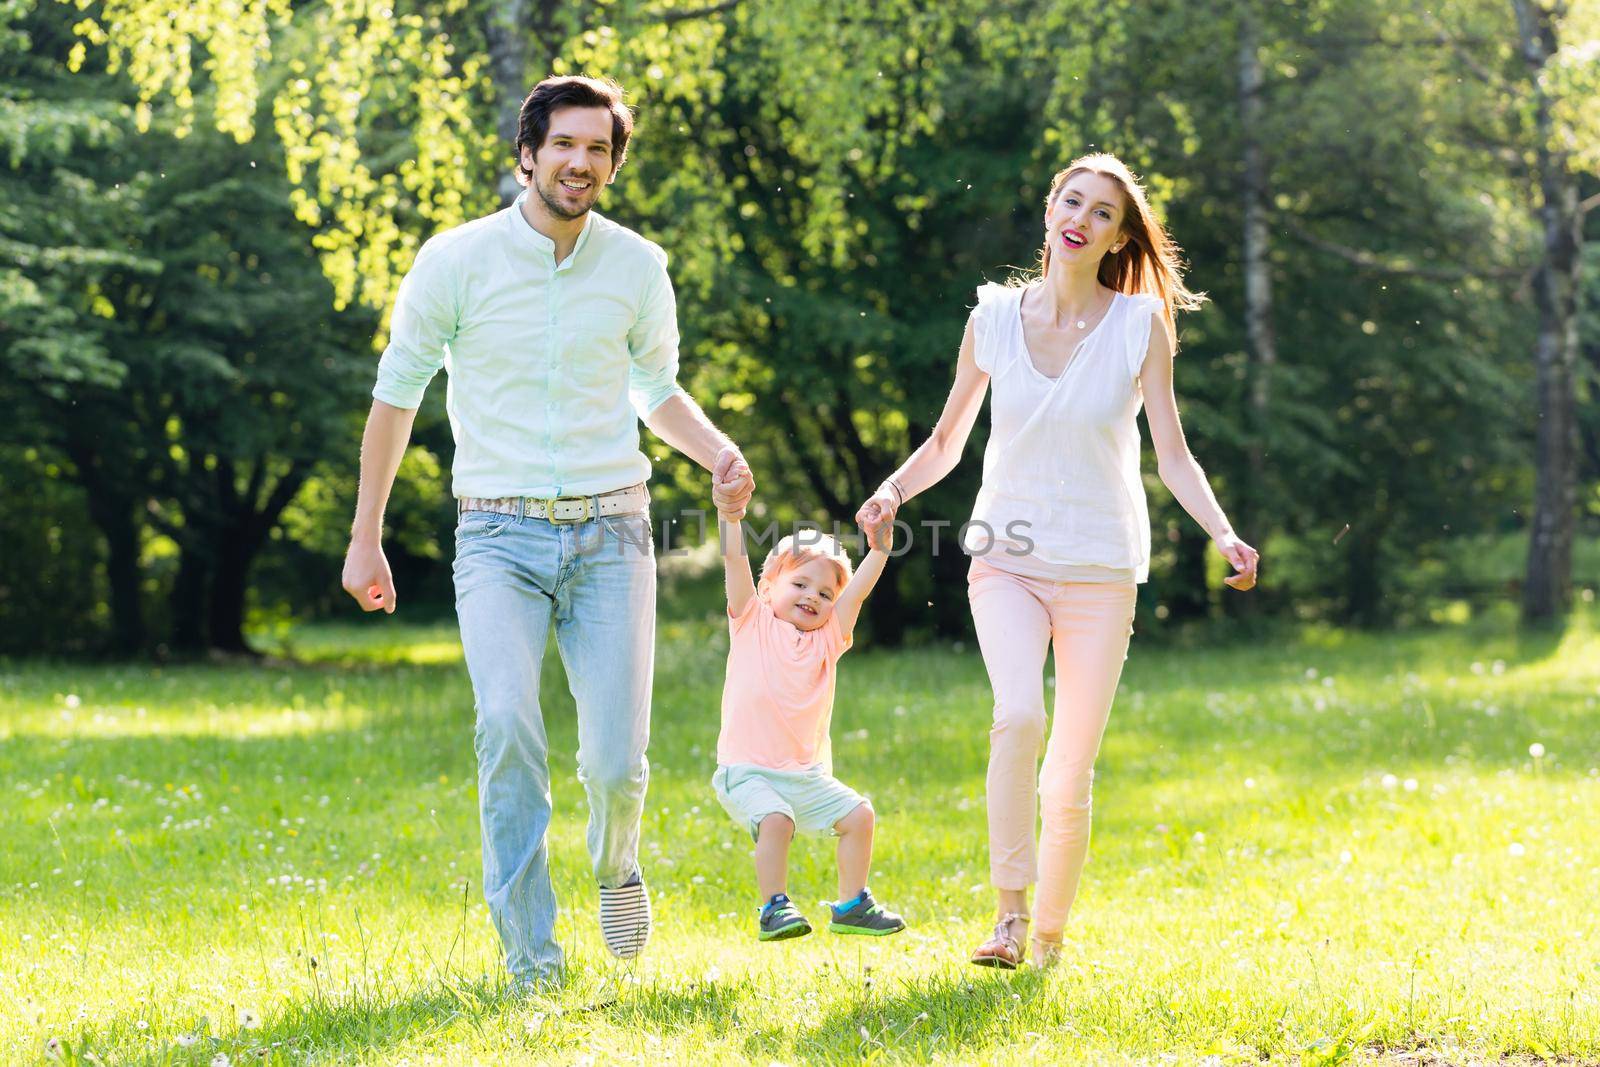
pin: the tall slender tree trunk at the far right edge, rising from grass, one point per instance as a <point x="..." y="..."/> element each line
<point x="1548" y="591"/>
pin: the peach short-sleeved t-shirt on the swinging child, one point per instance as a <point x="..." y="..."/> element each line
<point x="778" y="697"/>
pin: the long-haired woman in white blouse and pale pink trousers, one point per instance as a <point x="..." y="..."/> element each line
<point x="1062" y="535"/>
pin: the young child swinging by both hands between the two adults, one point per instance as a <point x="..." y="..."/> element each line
<point x="774" y="757"/>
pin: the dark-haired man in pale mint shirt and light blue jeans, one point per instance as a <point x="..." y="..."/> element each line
<point x="551" y="321"/>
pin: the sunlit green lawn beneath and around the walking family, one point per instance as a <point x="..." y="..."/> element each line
<point x="1330" y="849"/>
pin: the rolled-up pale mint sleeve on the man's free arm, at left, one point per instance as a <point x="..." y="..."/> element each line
<point x="423" y="324"/>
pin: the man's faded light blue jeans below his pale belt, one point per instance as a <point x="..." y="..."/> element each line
<point x="598" y="581"/>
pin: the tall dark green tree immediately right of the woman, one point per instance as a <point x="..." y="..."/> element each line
<point x="1354" y="338"/>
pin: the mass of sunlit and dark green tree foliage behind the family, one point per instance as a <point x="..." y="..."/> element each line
<point x="1358" y="188"/>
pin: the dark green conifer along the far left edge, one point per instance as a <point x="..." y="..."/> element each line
<point x="60" y="246"/>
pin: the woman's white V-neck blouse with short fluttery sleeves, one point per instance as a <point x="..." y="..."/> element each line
<point x="1062" y="470"/>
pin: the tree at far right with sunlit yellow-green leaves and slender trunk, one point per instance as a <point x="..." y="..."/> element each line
<point x="1505" y="97"/>
